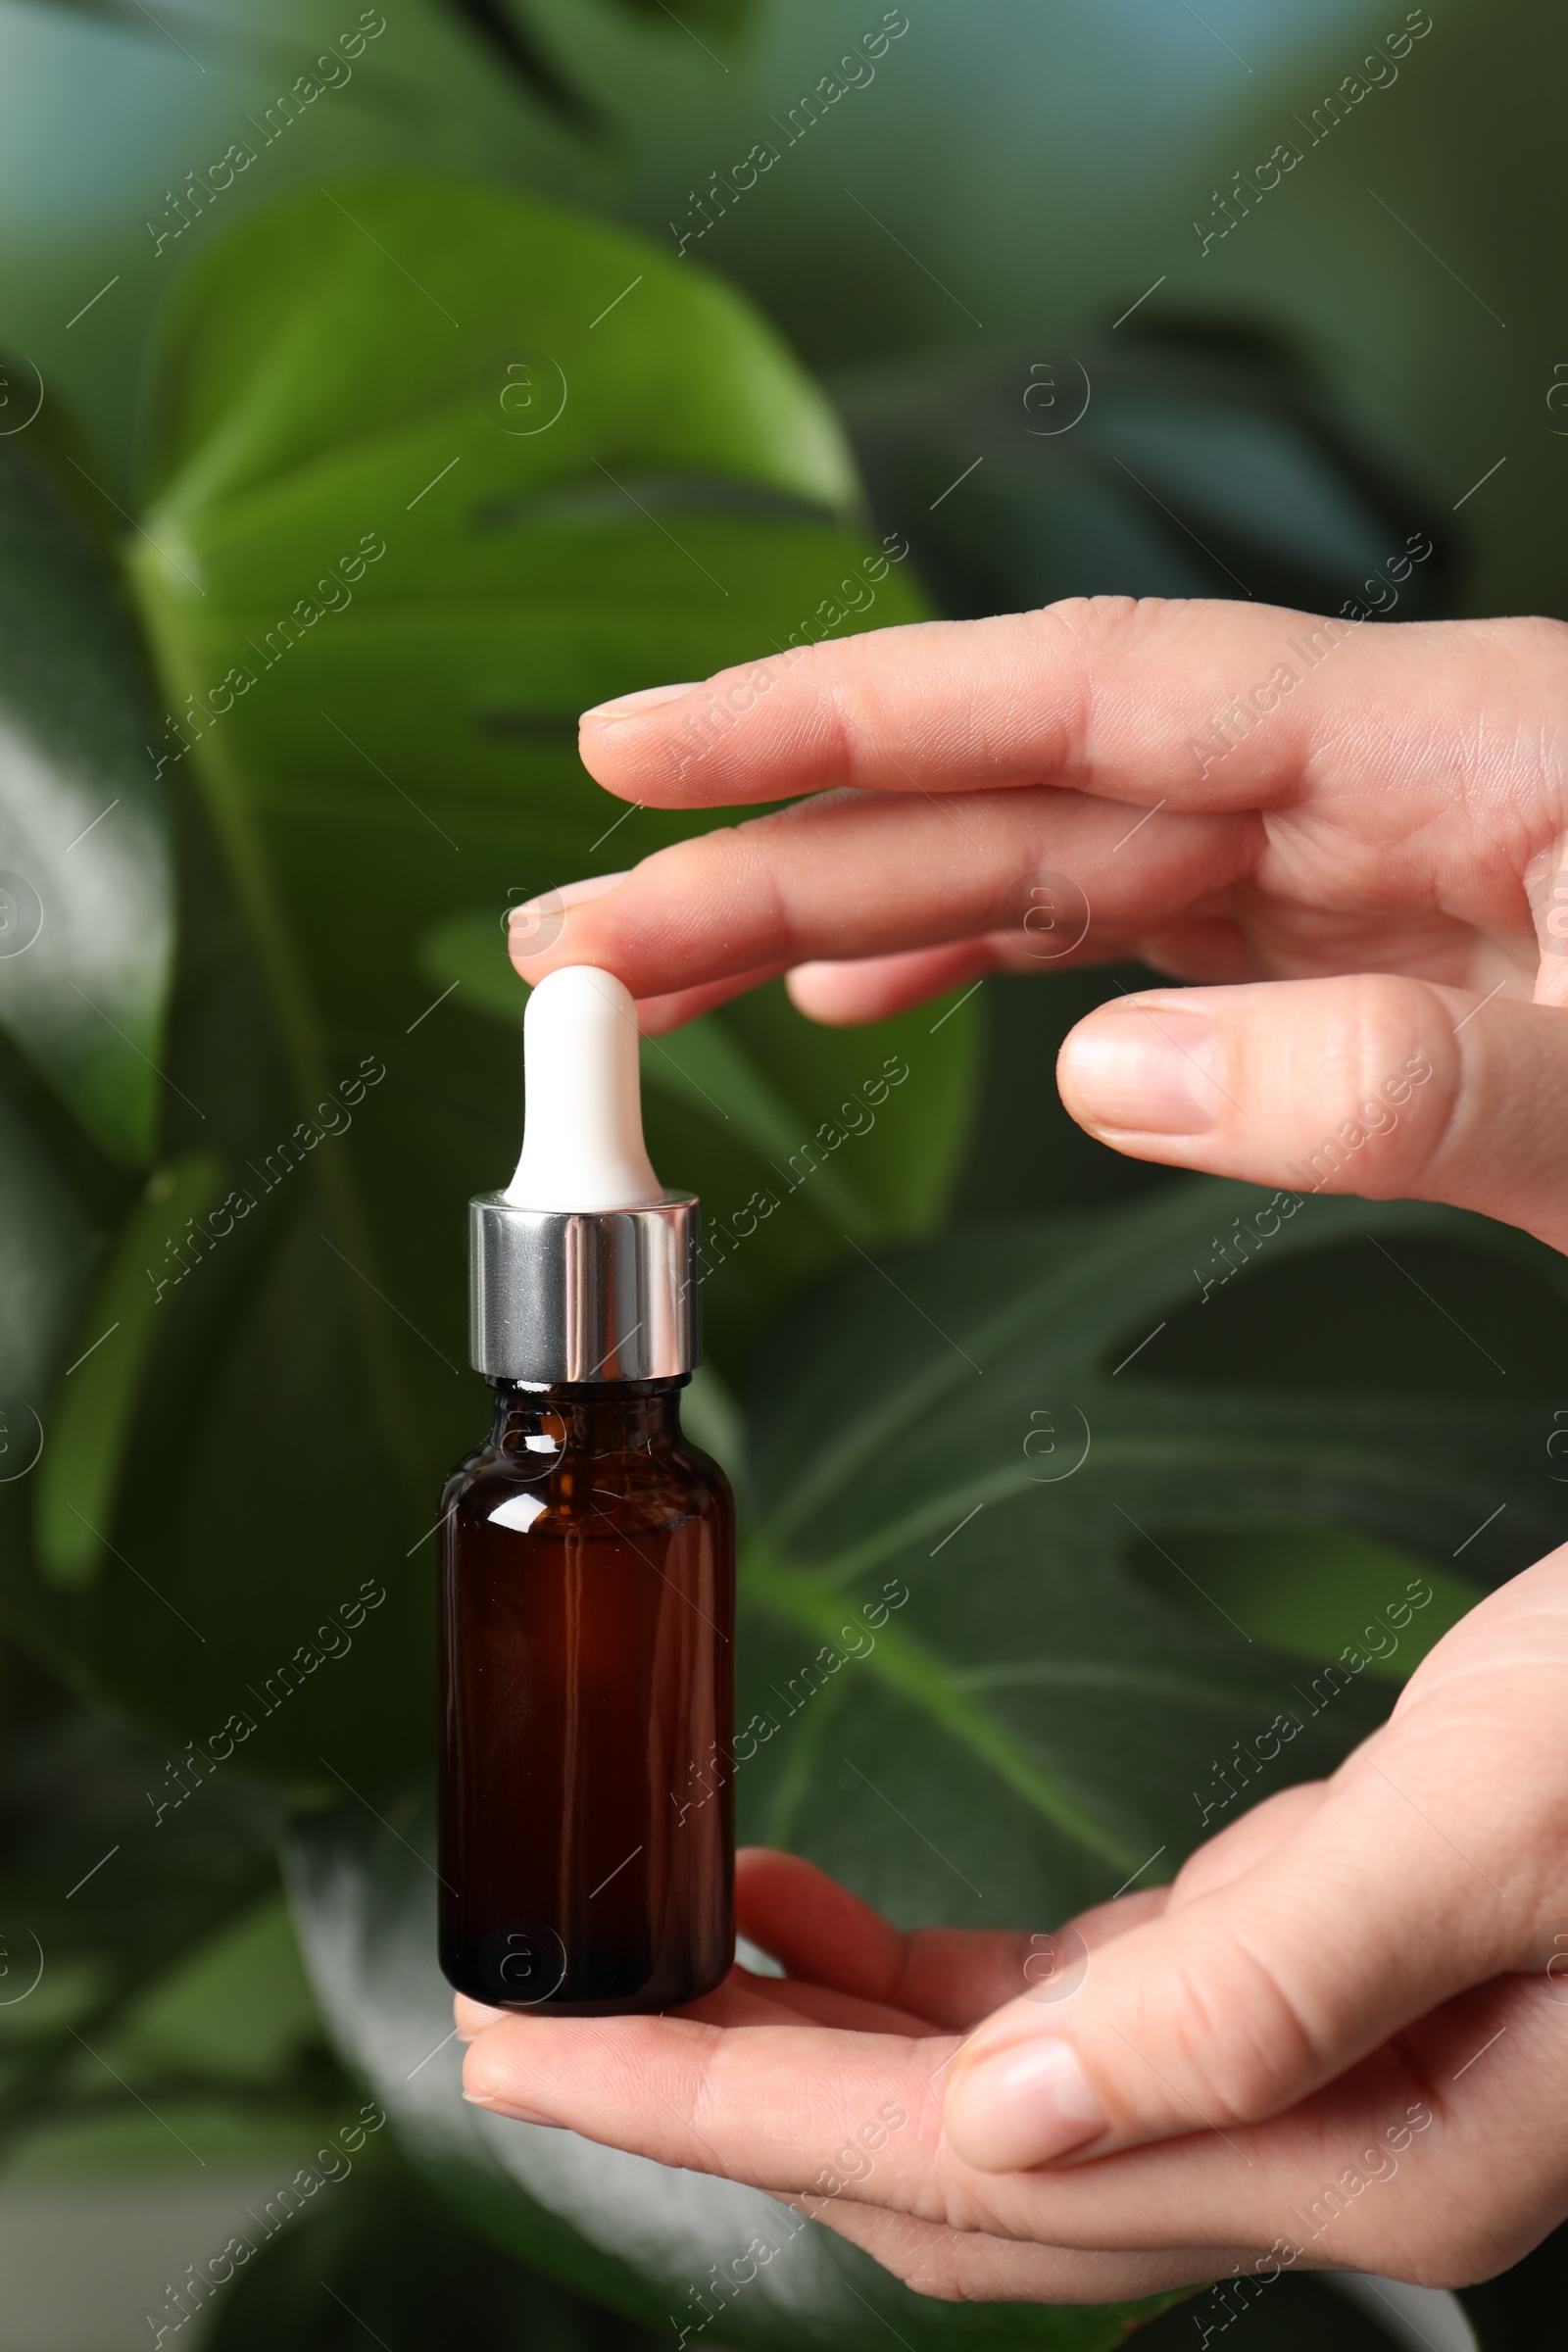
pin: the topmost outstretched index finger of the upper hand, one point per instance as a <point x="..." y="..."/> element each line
<point x="1111" y="695"/>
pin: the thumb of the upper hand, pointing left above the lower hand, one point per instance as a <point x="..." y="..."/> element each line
<point x="1376" y="1085"/>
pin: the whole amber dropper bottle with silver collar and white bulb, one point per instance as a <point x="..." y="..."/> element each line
<point x="587" y="1857"/>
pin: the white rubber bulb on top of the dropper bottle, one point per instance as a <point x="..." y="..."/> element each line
<point x="582" y="1140"/>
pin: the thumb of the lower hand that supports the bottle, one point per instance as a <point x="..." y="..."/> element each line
<point x="1235" y="2005"/>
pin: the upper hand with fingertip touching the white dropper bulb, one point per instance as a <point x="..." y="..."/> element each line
<point x="1388" y="838"/>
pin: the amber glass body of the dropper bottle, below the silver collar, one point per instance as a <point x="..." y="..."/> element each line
<point x="587" y="1688"/>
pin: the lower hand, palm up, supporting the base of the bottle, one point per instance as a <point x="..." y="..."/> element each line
<point x="1318" y="2047"/>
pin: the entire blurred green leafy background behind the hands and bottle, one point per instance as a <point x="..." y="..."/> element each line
<point x="1014" y="300"/>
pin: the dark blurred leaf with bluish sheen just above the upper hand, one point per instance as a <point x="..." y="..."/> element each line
<point x="1191" y="457"/>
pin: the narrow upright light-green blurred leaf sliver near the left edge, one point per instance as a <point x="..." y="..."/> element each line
<point x="93" y="1422"/>
